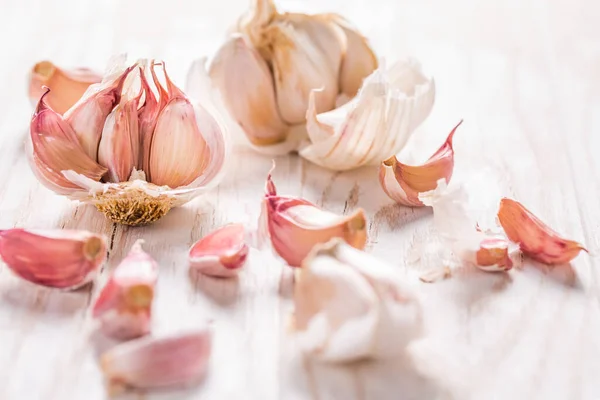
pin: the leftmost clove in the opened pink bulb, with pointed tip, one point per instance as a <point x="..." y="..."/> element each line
<point x="55" y="149"/>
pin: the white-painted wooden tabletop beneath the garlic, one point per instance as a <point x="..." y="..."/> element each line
<point x="524" y="74"/>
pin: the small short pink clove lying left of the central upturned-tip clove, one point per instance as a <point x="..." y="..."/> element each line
<point x="221" y="253"/>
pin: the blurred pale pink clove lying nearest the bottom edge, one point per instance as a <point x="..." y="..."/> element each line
<point x="158" y="362"/>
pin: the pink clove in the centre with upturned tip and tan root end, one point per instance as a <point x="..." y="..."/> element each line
<point x="294" y="226"/>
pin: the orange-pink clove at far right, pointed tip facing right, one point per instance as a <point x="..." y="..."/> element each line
<point x="536" y="239"/>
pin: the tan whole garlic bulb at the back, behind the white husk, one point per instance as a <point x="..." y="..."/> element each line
<point x="267" y="70"/>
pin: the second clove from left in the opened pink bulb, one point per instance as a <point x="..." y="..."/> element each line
<point x="88" y="115"/>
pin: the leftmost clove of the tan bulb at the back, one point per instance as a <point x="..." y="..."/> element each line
<point x="246" y="85"/>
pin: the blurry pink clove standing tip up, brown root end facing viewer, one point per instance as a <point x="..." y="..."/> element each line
<point x="124" y="305"/>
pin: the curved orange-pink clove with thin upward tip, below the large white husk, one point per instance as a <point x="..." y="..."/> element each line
<point x="403" y="183"/>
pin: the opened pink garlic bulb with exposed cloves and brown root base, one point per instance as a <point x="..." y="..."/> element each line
<point x="132" y="146"/>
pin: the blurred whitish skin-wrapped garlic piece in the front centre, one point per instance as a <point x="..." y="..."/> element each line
<point x="349" y="305"/>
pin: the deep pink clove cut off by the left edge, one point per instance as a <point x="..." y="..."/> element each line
<point x="64" y="259"/>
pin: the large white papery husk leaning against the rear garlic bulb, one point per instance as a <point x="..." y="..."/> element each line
<point x="374" y="125"/>
